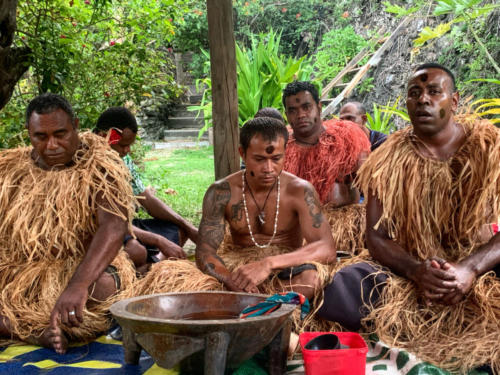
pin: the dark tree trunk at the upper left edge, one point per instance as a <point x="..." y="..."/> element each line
<point x="13" y="61"/>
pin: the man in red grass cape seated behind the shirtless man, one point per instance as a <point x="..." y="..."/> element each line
<point x="327" y="154"/>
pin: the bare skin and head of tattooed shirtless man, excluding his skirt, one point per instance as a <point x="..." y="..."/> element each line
<point x="264" y="206"/>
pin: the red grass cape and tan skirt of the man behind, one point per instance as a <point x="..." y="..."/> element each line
<point x="333" y="159"/>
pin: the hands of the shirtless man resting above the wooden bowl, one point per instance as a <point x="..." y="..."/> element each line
<point x="248" y="277"/>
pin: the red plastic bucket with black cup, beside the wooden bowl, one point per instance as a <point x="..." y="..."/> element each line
<point x="350" y="361"/>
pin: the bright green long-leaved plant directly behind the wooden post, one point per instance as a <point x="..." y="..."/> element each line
<point x="262" y="74"/>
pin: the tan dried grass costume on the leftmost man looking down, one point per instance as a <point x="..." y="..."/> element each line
<point x="46" y="216"/>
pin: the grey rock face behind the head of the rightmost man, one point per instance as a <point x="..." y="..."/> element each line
<point x="392" y="72"/>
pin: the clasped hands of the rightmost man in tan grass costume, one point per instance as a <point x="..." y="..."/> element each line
<point x="443" y="282"/>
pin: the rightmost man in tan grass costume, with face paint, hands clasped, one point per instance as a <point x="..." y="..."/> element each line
<point x="431" y="283"/>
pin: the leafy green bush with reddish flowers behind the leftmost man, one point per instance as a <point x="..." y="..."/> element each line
<point x="95" y="53"/>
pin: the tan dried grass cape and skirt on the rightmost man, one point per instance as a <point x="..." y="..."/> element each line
<point x="438" y="208"/>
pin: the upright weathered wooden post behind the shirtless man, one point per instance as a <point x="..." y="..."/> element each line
<point x="224" y="91"/>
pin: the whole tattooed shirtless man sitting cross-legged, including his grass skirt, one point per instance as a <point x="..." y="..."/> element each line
<point x="270" y="212"/>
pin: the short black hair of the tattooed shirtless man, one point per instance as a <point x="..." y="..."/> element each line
<point x="268" y="127"/>
